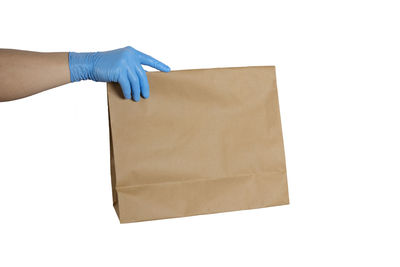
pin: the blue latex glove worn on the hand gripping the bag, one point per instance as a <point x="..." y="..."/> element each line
<point x="121" y="65"/>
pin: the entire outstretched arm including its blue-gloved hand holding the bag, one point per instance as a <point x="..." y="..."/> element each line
<point x="24" y="73"/>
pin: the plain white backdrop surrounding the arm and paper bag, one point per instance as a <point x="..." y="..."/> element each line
<point x="338" y="65"/>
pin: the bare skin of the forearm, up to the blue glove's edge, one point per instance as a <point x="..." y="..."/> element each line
<point x="24" y="73"/>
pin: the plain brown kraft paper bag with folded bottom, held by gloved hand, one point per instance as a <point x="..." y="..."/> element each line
<point x="206" y="141"/>
